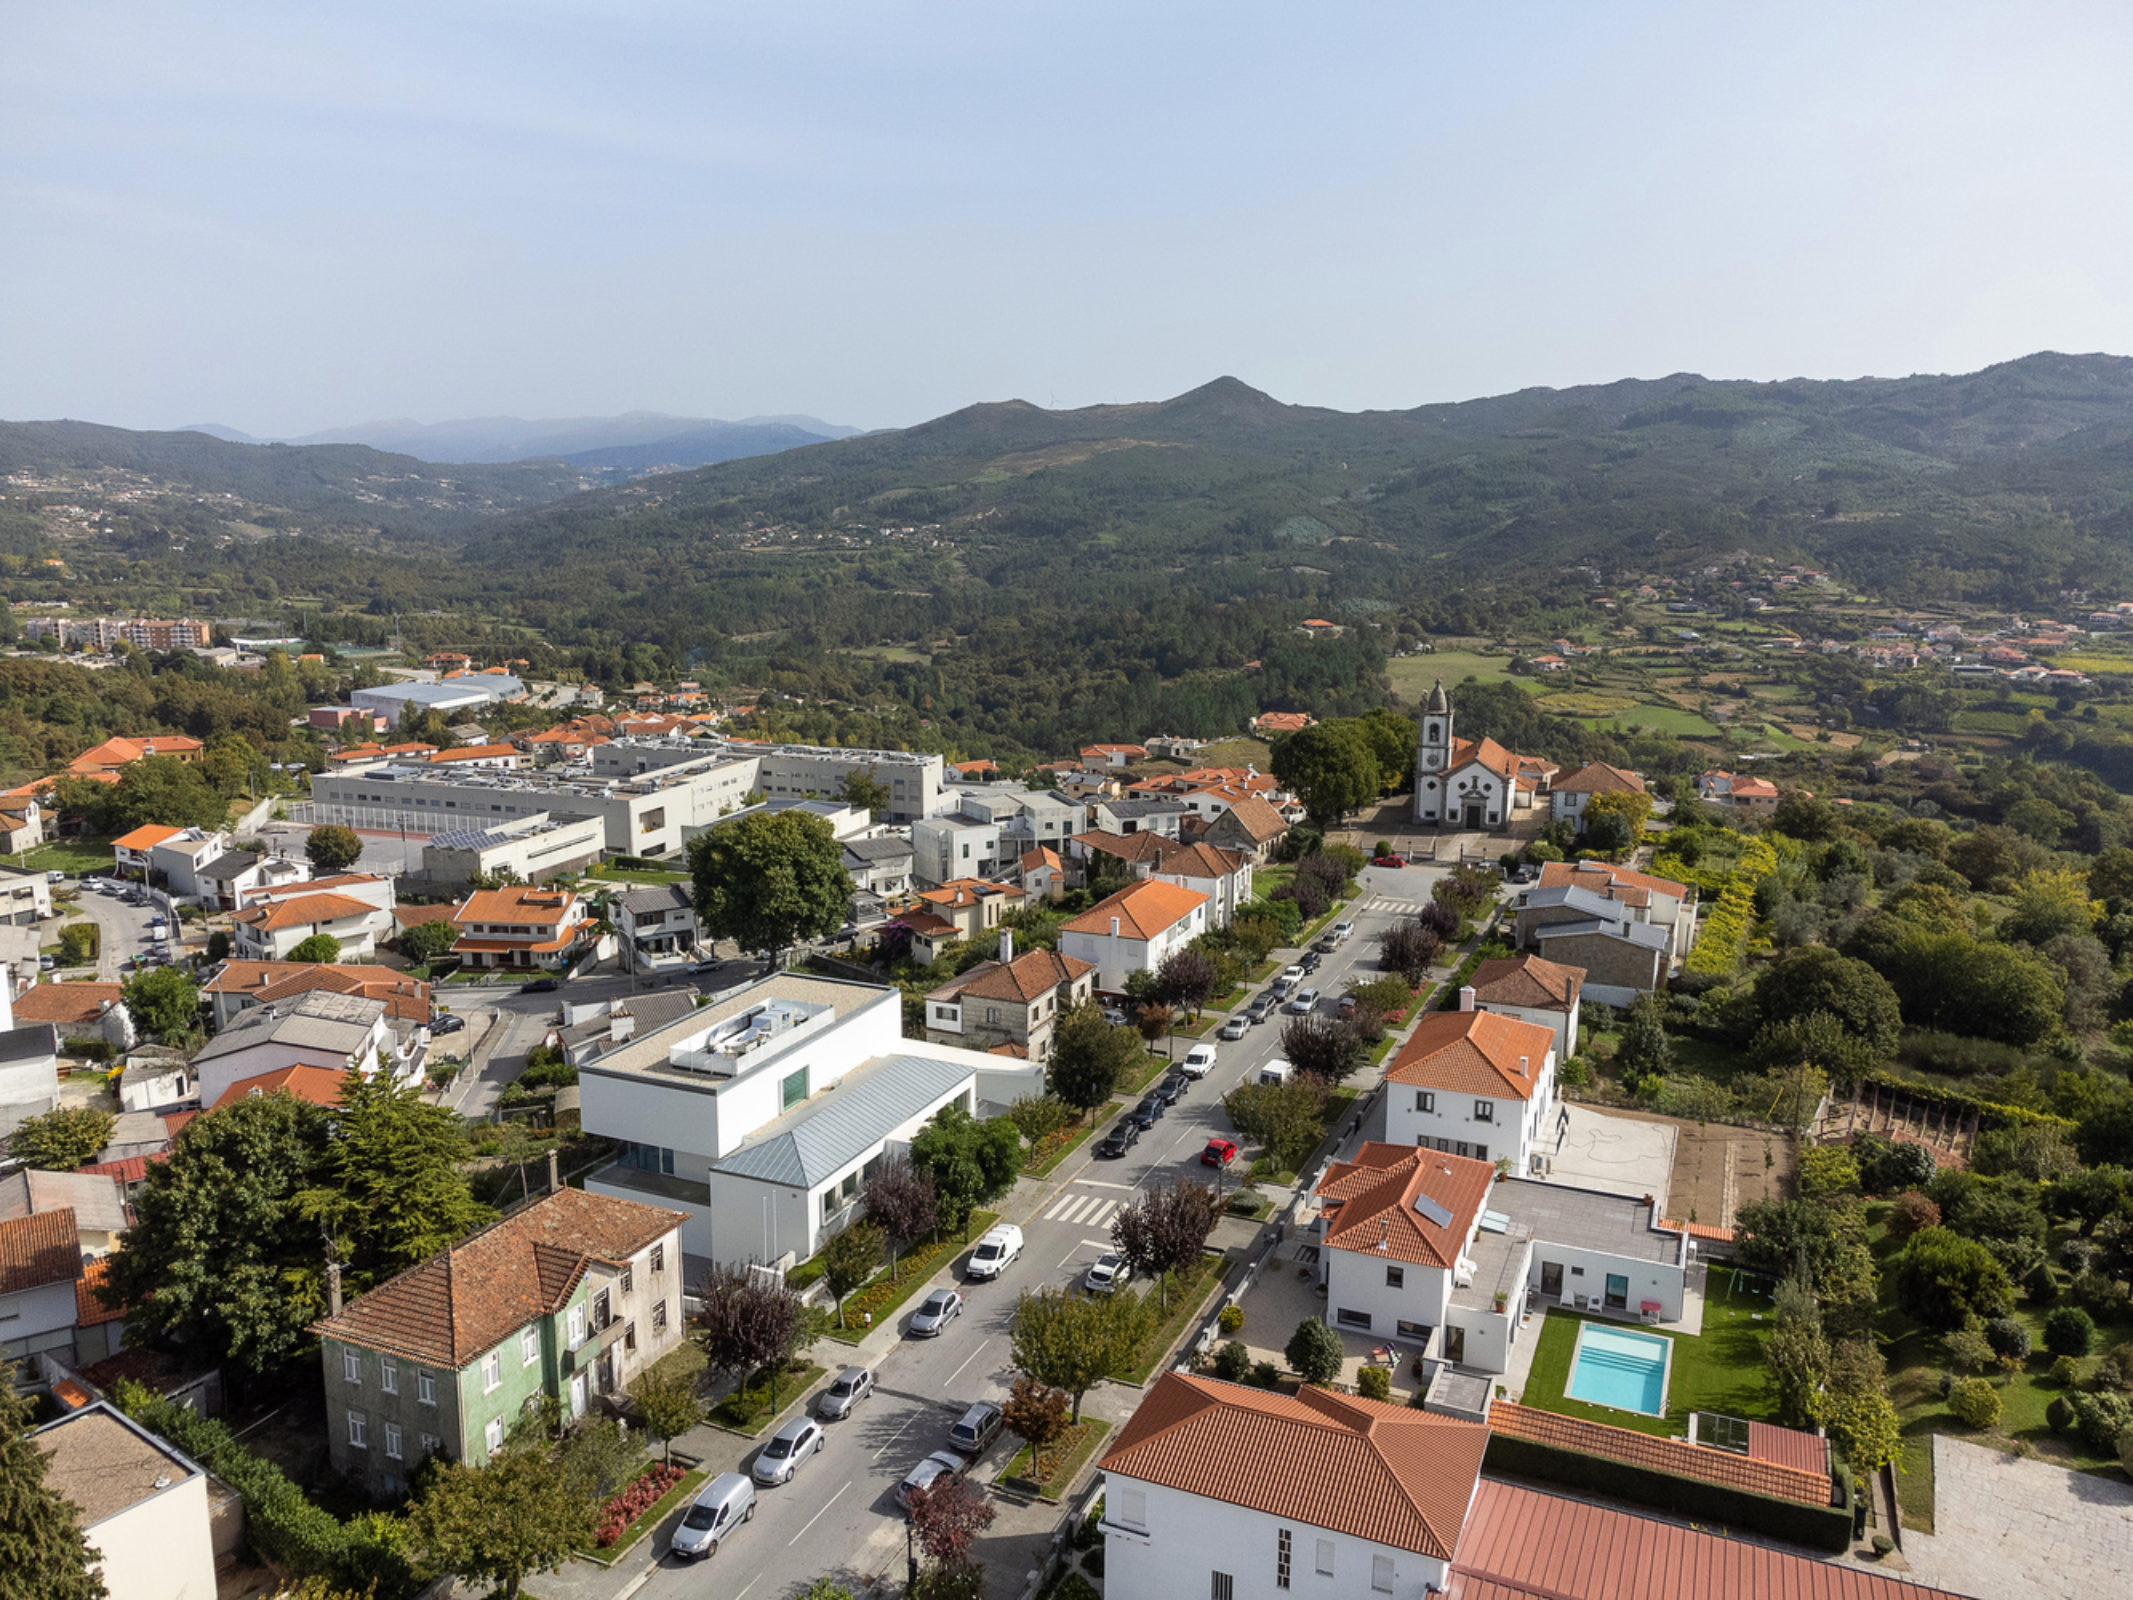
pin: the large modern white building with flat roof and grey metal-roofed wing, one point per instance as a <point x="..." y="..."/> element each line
<point x="760" y="1119"/>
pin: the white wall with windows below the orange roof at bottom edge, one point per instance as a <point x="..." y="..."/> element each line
<point x="1191" y="1537"/>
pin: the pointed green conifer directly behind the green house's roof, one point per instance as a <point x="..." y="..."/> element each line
<point x="394" y="1187"/>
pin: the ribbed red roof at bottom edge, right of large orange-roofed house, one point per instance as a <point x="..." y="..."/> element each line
<point x="1526" y="1546"/>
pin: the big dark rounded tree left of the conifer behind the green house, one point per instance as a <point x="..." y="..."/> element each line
<point x="221" y="1262"/>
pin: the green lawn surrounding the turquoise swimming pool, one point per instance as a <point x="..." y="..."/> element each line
<point x="1720" y="1371"/>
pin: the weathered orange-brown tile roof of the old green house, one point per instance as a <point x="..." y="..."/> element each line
<point x="464" y="1302"/>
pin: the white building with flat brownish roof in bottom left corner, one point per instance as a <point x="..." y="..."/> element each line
<point x="142" y="1505"/>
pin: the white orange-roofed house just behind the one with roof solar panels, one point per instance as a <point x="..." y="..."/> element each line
<point x="1473" y="1083"/>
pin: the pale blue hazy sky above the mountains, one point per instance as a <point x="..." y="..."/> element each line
<point x="291" y="217"/>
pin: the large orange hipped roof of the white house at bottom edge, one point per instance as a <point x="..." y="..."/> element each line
<point x="1356" y="1467"/>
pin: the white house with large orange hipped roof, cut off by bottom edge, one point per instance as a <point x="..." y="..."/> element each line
<point x="1245" y="1494"/>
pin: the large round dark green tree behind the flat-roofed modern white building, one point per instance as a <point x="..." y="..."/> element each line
<point x="771" y="880"/>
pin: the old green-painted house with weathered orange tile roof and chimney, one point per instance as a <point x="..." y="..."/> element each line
<point x="568" y="1298"/>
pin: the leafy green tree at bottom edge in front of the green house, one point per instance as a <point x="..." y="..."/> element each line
<point x="496" y="1524"/>
